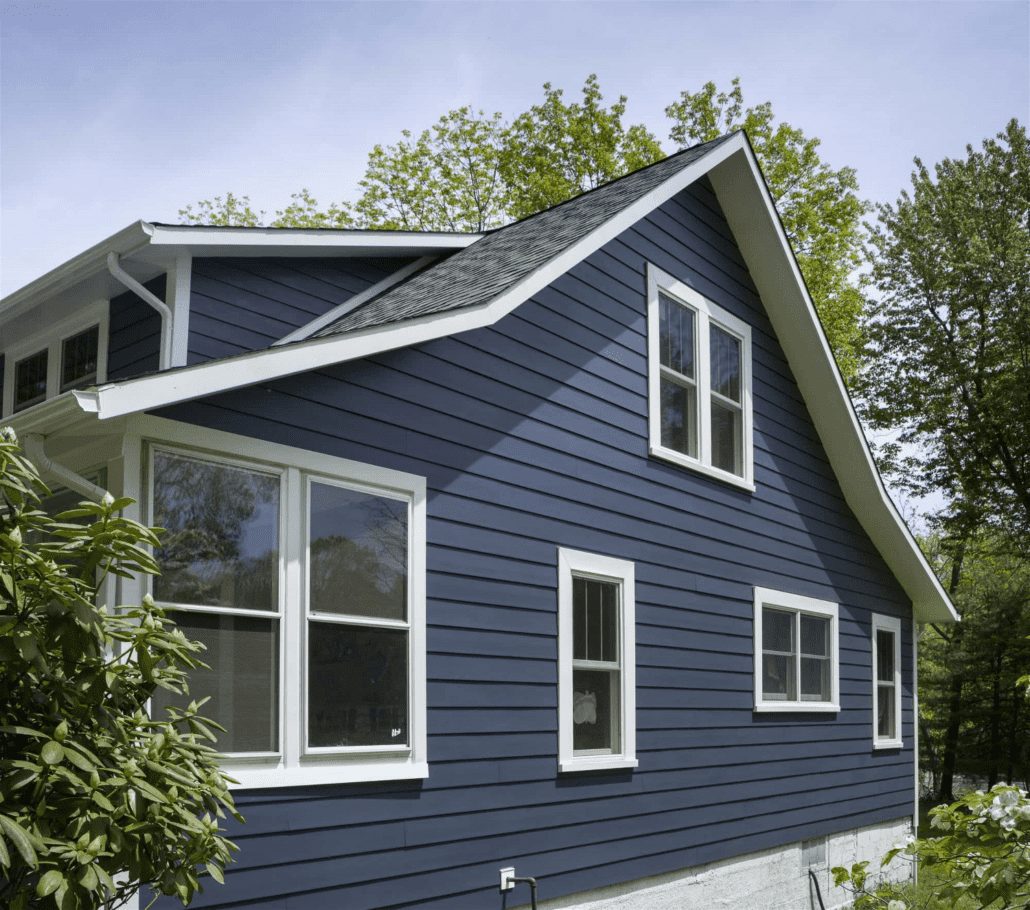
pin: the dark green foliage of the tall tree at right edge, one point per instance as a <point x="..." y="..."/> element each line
<point x="951" y="334"/>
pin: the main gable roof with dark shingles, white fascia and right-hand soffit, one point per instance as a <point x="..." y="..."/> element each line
<point x="483" y="284"/>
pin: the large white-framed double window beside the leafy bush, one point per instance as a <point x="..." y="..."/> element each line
<point x="304" y="577"/>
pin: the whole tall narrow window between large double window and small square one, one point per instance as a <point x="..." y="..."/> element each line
<point x="597" y="663"/>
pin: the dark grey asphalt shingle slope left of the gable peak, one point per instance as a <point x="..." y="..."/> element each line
<point x="492" y="265"/>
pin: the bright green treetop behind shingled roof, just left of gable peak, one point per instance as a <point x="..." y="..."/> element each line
<point x="557" y="150"/>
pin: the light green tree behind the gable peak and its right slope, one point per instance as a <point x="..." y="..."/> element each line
<point x="819" y="206"/>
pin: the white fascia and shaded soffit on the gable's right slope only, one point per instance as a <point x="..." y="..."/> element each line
<point x="752" y="217"/>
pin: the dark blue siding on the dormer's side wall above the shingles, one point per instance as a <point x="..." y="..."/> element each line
<point x="247" y="305"/>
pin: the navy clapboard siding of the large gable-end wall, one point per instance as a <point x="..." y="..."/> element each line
<point x="533" y="435"/>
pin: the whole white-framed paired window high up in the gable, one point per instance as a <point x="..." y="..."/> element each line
<point x="699" y="383"/>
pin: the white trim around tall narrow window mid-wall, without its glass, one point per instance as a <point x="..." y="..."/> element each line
<point x="576" y="563"/>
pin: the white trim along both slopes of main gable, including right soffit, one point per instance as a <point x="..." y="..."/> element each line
<point x="751" y="215"/>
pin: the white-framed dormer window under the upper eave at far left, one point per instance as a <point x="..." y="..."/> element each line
<point x="72" y="354"/>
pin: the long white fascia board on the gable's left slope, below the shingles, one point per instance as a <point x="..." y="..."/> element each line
<point x="165" y="389"/>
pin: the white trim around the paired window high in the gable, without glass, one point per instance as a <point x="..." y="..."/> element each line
<point x="660" y="282"/>
